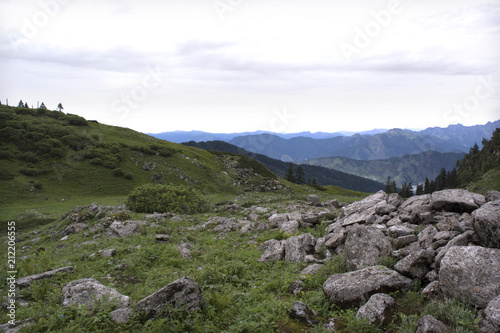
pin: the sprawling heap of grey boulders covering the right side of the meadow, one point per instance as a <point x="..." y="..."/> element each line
<point x="449" y="240"/>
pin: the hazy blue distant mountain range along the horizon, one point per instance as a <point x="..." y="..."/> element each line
<point x="369" y="145"/>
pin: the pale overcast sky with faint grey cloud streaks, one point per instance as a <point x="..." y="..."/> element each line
<point x="244" y="65"/>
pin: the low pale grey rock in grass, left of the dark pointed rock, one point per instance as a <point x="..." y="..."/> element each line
<point x="86" y="291"/>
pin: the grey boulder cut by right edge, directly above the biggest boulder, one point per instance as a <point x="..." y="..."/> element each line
<point x="486" y="222"/>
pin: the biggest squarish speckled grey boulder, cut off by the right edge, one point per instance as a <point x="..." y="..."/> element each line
<point x="471" y="274"/>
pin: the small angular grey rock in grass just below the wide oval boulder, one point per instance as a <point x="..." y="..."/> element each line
<point x="378" y="310"/>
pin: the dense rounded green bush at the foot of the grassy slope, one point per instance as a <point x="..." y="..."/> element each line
<point x="166" y="198"/>
